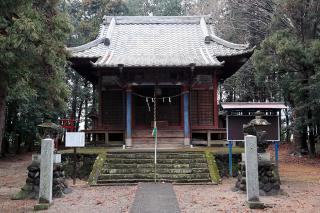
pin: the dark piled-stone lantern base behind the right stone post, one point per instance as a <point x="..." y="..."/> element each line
<point x="269" y="182"/>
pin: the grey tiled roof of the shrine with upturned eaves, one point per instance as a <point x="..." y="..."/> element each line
<point x="157" y="41"/>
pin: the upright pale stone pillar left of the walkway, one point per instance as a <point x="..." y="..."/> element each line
<point x="46" y="171"/>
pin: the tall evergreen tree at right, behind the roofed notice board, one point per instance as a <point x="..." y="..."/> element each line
<point x="290" y="57"/>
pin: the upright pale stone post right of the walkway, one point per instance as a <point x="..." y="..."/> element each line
<point x="252" y="180"/>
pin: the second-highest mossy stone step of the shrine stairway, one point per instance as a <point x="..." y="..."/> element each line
<point x="159" y="161"/>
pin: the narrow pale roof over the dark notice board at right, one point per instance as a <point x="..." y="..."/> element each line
<point x="253" y="105"/>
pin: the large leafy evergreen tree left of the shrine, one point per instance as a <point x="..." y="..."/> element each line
<point x="32" y="62"/>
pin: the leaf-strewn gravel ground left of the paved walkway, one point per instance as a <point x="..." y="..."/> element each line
<point x="110" y="199"/>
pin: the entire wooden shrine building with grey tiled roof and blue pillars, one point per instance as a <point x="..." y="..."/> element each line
<point x="176" y="62"/>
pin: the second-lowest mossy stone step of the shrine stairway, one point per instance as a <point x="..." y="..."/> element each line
<point x="151" y="176"/>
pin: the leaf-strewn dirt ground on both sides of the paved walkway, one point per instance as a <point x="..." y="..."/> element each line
<point x="300" y="179"/>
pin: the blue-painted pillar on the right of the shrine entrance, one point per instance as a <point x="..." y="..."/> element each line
<point x="186" y="125"/>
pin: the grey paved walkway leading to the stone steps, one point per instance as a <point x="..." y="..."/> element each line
<point x="155" y="198"/>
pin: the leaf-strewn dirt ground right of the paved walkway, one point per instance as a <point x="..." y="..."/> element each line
<point x="300" y="183"/>
